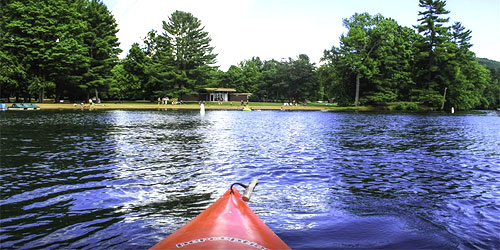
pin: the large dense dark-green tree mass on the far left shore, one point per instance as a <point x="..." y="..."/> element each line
<point x="56" y="48"/>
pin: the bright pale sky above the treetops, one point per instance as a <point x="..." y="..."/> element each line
<point x="279" y="29"/>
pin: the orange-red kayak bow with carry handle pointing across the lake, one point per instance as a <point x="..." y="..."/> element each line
<point x="229" y="223"/>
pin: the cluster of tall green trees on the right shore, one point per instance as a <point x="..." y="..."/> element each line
<point x="379" y="61"/>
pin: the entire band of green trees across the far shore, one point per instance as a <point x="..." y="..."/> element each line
<point x="68" y="50"/>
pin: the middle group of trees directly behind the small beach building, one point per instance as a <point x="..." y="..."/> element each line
<point x="179" y="61"/>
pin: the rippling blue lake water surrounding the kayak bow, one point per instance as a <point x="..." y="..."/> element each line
<point x="127" y="179"/>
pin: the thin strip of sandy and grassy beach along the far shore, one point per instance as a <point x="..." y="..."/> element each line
<point x="226" y="106"/>
